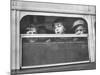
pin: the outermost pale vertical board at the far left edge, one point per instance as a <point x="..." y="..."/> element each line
<point x="13" y="47"/>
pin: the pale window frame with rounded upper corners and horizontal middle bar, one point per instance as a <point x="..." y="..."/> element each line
<point x="90" y="36"/>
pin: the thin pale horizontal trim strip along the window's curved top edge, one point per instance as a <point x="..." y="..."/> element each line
<point x="24" y="13"/>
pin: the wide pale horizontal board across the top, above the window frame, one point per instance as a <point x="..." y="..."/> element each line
<point x="53" y="7"/>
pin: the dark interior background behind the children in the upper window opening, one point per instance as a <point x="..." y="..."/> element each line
<point x="47" y="22"/>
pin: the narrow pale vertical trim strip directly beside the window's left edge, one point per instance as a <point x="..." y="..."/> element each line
<point x="17" y="25"/>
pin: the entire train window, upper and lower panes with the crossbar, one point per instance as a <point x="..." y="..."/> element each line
<point x="51" y="40"/>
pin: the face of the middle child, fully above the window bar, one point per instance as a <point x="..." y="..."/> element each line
<point x="59" y="28"/>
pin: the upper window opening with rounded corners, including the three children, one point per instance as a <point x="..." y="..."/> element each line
<point x="31" y="24"/>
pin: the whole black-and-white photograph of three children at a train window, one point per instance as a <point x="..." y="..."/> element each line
<point x="52" y="37"/>
